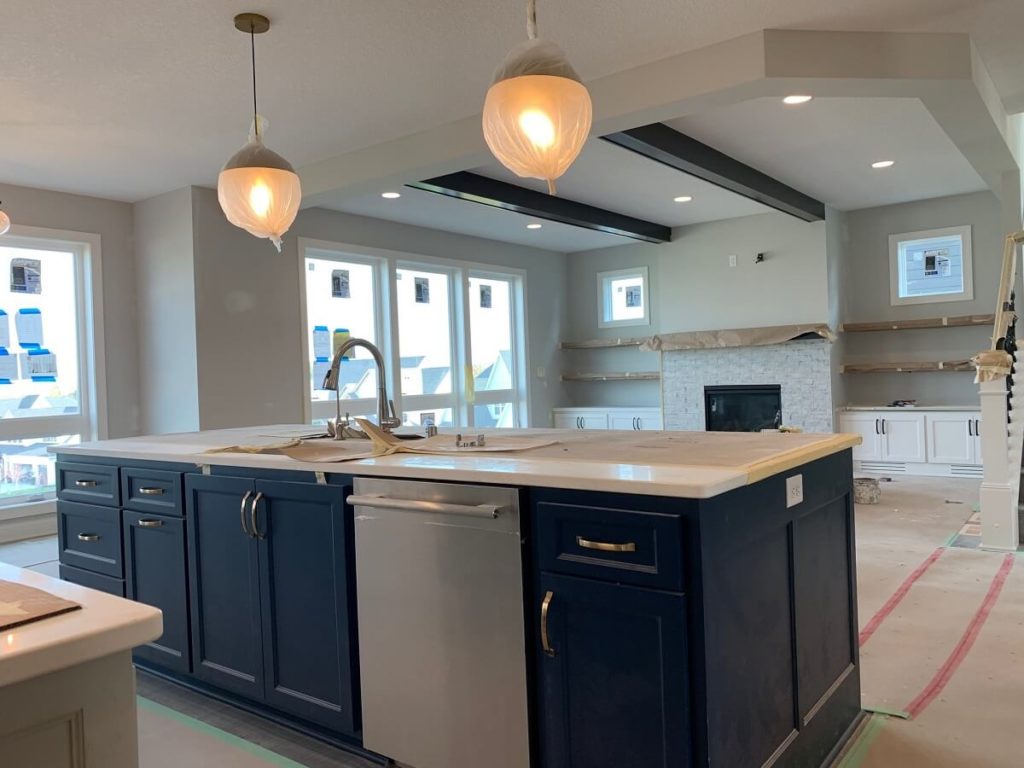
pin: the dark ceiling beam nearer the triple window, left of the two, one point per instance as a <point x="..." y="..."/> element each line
<point x="489" y="192"/>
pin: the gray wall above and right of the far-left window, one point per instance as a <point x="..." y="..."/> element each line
<point x="113" y="223"/>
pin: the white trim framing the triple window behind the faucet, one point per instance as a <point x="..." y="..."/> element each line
<point x="389" y="262"/>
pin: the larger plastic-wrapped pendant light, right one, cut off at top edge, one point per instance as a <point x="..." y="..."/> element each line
<point x="537" y="116"/>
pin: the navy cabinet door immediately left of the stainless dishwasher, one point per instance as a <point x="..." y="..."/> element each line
<point x="306" y="592"/>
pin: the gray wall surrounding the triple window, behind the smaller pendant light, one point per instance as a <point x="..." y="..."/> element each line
<point x="250" y="338"/>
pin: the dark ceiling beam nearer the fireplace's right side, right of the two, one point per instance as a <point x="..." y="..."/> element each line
<point x="664" y="145"/>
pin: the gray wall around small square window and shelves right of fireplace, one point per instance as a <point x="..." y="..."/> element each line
<point x="866" y="279"/>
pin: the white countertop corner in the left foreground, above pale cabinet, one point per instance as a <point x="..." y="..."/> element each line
<point x="105" y="625"/>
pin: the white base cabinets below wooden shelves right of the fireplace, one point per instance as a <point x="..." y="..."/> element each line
<point x="922" y="443"/>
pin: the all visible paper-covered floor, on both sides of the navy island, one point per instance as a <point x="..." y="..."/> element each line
<point x="975" y="718"/>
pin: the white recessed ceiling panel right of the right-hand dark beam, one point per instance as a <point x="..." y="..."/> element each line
<point x="826" y="148"/>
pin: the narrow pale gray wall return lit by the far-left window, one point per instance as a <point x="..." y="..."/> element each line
<point x="166" y="290"/>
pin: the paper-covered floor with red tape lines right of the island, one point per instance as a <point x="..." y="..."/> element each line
<point x="938" y="637"/>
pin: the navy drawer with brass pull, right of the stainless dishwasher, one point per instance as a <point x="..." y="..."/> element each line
<point x="627" y="546"/>
